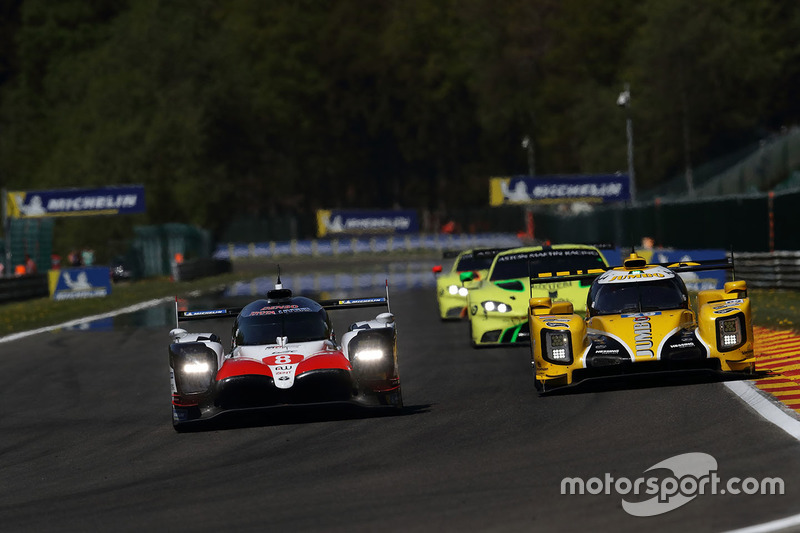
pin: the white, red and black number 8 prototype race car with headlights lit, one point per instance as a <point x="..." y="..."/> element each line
<point x="283" y="352"/>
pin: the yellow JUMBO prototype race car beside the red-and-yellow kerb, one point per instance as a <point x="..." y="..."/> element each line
<point x="639" y="320"/>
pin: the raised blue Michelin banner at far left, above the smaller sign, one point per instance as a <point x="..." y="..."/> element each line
<point x="76" y="202"/>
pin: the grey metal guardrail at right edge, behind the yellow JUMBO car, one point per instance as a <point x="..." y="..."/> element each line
<point x="769" y="270"/>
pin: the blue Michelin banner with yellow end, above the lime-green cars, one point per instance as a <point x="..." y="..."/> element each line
<point x="554" y="189"/>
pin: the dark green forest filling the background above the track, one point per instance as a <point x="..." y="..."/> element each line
<point x="231" y="109"/>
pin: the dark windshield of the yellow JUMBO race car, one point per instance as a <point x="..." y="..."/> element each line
<point x="638" y="297"/>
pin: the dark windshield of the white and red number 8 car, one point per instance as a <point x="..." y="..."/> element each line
<point x="264" y="324"/>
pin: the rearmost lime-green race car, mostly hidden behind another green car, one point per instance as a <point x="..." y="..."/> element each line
<point x="469" y="267"/>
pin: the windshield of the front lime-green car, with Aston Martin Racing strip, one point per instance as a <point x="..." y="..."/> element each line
<point x="525" y="264"/>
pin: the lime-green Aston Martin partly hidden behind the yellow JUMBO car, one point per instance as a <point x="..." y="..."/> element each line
<point x="498" y="305"/>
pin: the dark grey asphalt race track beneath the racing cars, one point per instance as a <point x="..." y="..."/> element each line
<point x="87" y="444"/>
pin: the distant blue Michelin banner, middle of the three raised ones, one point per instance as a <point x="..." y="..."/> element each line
<point x="340" y="223"/>
